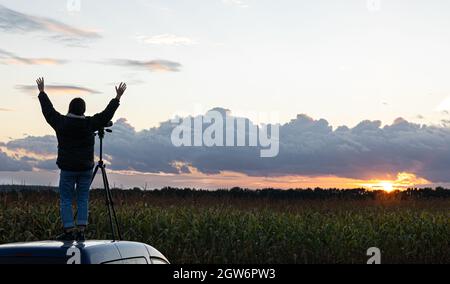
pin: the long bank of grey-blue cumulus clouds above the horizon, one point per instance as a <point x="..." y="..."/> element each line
<point x="307" y="147"/>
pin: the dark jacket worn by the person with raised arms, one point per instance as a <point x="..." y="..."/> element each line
<point x="76" y="134"/>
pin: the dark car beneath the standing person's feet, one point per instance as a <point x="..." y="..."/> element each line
<point x="87" y="252"/>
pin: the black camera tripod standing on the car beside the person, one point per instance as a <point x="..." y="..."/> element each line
<point x="109" y="202"/>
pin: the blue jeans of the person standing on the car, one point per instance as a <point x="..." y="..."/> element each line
<point x="74" y="185"/>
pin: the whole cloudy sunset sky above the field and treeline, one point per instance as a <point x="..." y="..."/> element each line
<point x="360" y="88"/>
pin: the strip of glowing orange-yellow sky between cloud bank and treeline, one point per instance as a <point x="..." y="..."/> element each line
<point x="225" y="180"/>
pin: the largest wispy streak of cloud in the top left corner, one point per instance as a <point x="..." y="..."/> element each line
<point x="14" y="21"/>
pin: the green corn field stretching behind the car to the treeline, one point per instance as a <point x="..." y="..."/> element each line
<point x="209" y="229"/>
